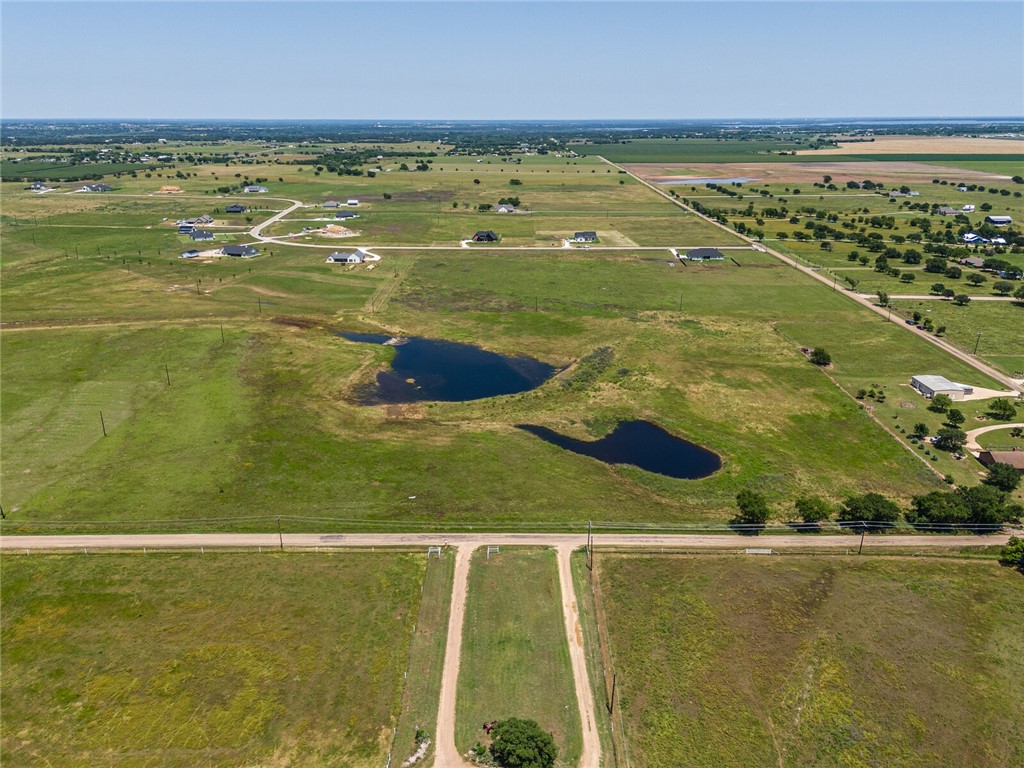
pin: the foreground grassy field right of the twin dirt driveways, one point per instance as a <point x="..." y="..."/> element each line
<point x="724" y="662"/>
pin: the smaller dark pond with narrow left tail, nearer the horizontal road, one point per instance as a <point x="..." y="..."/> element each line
<point x="644" y="445"/>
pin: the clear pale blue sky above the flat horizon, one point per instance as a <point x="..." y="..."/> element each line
<point x="489" y="60"/>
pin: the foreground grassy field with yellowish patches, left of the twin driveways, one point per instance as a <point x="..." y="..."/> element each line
<point x="205" y="660"/>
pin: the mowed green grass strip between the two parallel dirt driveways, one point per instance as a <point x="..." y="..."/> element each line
<point x="516" y="660"/>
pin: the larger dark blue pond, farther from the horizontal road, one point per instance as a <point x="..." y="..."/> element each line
<point x="435" y="370"/>
